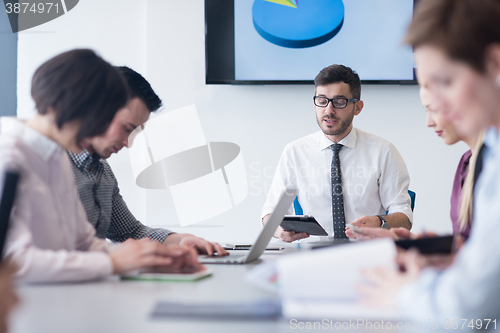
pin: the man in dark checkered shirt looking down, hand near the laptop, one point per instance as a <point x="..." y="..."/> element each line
<point x="98" y="187"/>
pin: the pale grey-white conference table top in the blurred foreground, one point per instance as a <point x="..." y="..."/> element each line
<point x="113" y="305"/>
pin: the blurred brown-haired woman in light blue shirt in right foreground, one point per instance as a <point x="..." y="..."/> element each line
<point x="457" y="49"/>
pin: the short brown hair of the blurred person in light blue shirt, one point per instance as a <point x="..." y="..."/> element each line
<point x="463" y="29"/>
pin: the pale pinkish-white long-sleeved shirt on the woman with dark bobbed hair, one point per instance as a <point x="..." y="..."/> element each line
<point x="50" y="238"/>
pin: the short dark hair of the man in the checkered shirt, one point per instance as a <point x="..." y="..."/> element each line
<point x="140" y="87"/>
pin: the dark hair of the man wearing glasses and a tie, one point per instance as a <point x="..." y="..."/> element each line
<point x="339" y="73"/>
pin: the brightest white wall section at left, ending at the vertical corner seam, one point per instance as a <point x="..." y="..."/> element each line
<point x="115" y="29"/>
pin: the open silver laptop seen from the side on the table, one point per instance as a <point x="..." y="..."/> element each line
<point x="265" y="236"/>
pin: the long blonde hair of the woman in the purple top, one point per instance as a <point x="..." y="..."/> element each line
<point x="467" y="196"/>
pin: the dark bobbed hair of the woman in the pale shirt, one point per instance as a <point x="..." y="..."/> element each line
<point x="79" y="84"/>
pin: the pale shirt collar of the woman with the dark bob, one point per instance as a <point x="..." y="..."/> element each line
<point x="39" y="143"/>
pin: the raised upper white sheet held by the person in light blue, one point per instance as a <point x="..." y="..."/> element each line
<point x="332" y="273"/>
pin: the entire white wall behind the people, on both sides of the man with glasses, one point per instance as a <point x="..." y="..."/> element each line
<point x="164" y="40"/>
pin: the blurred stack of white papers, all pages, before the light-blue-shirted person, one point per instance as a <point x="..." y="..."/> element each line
<point x="322" y="283"/>
